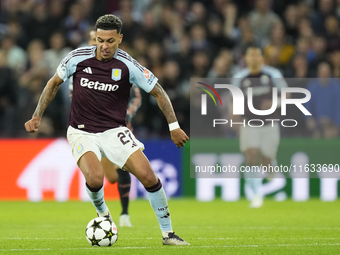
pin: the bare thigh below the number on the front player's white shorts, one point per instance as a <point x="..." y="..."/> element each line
<point x="139" y="166"/>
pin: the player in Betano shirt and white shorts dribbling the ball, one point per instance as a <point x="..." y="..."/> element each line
<point x="102" y="77"/>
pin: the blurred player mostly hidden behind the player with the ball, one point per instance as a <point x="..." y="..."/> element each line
<point x="112" y="172"/>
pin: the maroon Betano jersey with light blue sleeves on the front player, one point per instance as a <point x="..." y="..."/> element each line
<point x="101" y="90"/>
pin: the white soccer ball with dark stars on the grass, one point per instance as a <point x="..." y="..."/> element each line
<point x="101" y="232"/>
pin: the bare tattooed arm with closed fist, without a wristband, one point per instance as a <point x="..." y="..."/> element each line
<point x="46" y="97"/>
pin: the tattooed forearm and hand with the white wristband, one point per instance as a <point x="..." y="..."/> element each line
<point x="178" y="136"/>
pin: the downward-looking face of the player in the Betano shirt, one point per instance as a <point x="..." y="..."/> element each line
<point x="107" y="43"/>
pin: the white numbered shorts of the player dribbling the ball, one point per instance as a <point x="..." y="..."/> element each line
<point x="116" y="144"/>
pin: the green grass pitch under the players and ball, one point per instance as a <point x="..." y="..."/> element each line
<point x="212" y="228"/>
